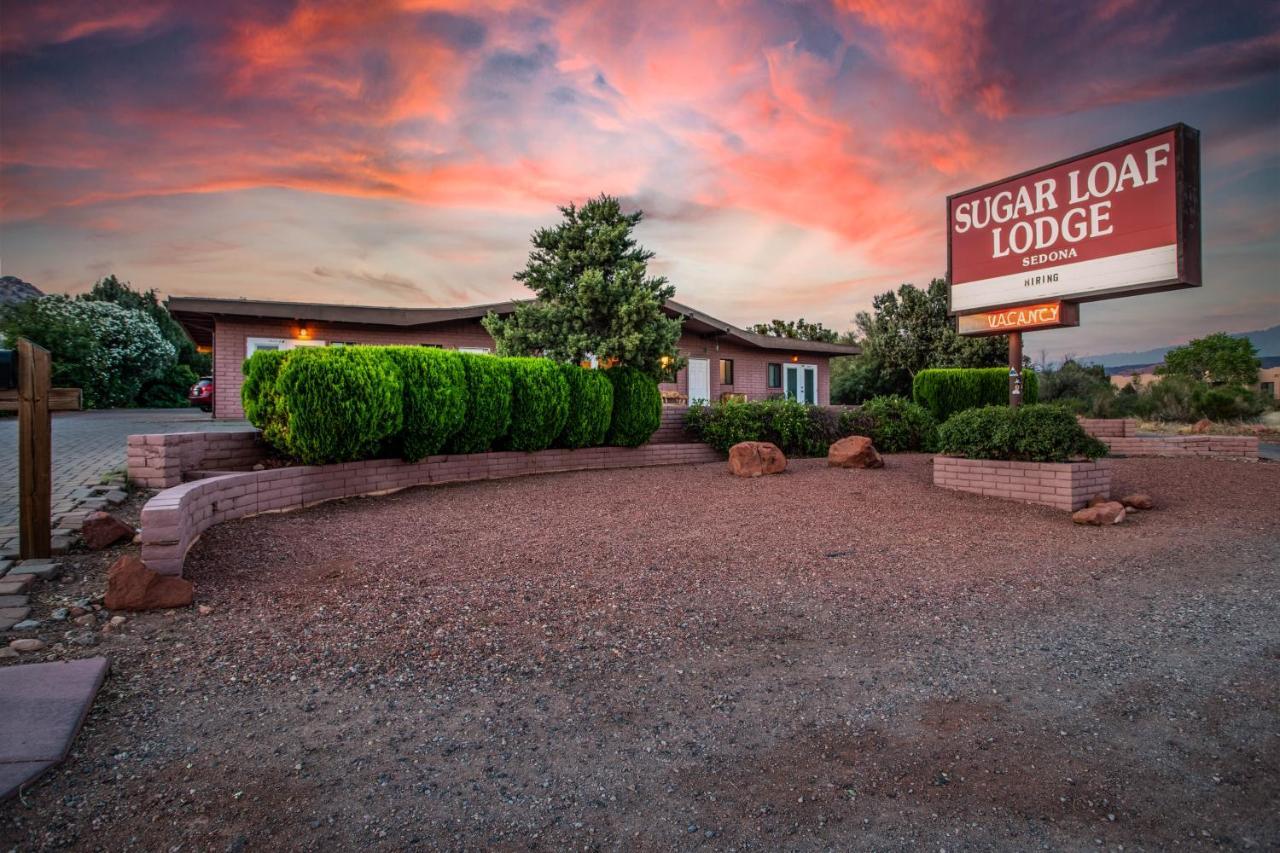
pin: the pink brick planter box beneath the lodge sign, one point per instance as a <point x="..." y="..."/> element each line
<point x="1063" y="486"/>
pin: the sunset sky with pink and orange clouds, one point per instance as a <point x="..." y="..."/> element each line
<point x="793" y="159"/>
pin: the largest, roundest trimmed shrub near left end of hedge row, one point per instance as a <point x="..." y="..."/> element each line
<point x="344" y="404"/>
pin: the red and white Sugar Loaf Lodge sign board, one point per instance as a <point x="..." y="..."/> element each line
<point x="1116" y="222"/>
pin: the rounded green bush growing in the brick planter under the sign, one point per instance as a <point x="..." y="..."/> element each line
<point x="1036" y="434"/>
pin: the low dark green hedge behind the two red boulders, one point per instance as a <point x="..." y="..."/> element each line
<point x="894" y="426"/>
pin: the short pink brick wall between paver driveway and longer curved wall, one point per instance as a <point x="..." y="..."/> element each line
<point x="161" y="462"/>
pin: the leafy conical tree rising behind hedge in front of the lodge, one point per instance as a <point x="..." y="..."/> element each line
<point x="595" y="295"/>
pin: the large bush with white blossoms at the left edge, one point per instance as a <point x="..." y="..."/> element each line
<point x="100" y="348"/>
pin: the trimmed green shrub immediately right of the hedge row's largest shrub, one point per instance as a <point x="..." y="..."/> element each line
<point x="436" y="399"/>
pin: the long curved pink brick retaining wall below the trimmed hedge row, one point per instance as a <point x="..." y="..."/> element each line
<point x="176" y="518"/>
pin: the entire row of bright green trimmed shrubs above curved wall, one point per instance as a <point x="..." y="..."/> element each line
<point x="345" y="404"/>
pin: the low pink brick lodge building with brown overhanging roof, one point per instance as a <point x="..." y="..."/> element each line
<point x="724" y="362"/>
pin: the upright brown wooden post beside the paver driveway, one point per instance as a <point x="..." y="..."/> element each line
<point x="35" y="451"/>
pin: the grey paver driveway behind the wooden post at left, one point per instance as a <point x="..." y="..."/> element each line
<point x="86" y="446"/>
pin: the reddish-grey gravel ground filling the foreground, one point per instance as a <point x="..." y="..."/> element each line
<point x="678" y="659"/>
